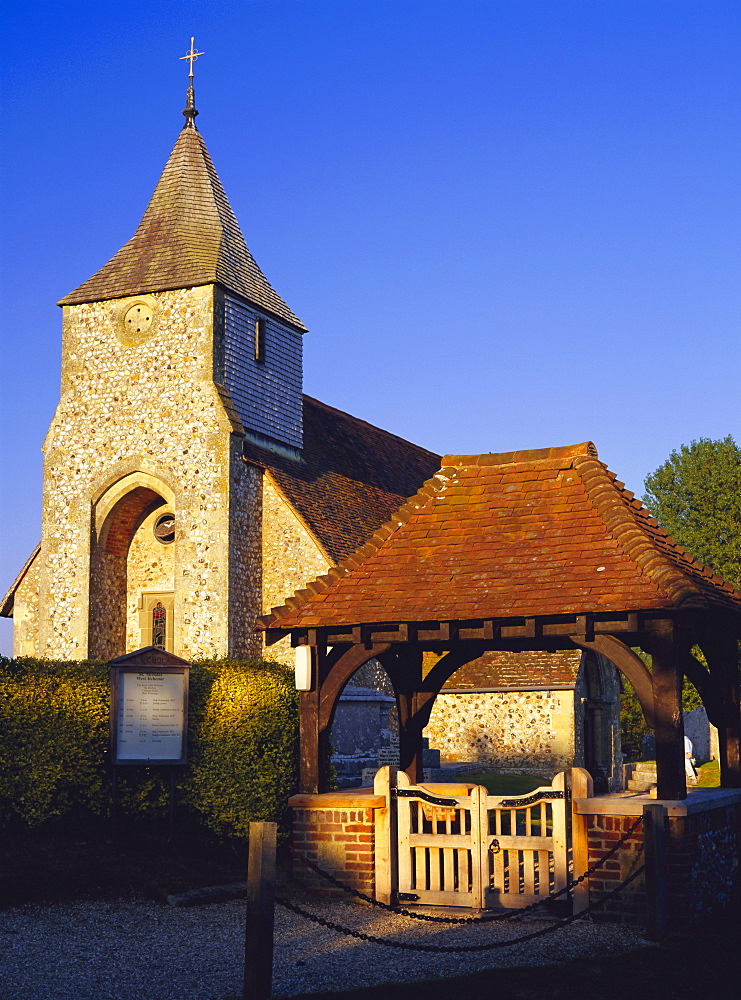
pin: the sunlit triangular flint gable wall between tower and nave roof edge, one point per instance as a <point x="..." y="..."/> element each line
<point x="290" y="558"/>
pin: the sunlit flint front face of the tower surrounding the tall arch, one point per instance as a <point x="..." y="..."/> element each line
<point x="148" y="405"/>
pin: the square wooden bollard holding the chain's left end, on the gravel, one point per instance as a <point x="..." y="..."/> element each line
<point x="258" y="952"/>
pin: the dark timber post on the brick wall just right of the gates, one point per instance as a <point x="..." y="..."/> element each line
<point x="667" y="691"/>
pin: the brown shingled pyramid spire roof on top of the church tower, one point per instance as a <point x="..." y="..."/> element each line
<point x="188" y="236"/>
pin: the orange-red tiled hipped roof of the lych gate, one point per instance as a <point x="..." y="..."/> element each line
<point x="525" y="533"/>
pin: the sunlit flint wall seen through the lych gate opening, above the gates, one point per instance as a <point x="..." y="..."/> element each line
<point x="528" y="731"/>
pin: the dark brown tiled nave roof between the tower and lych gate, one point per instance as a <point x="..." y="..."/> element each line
<point x="351" y="477"/>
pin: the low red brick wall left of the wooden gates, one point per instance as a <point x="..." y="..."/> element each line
<point x="336" y="831"/>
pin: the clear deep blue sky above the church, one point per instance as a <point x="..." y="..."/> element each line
<point x="507" y="224"/>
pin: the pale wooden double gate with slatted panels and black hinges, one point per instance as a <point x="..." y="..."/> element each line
<point x="460" y="846"/>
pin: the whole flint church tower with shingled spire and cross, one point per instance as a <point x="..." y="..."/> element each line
<point x="176" y="355"/>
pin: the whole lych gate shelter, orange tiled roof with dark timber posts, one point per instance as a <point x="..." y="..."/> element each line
<point x="513" y="533"/>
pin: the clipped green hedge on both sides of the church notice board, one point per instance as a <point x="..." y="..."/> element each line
<point x="54" y="745"/>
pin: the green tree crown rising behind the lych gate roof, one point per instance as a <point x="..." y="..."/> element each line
<point x="696" y="496"/>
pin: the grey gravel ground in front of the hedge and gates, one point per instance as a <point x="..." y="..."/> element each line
<point x="96" y="951"/>
